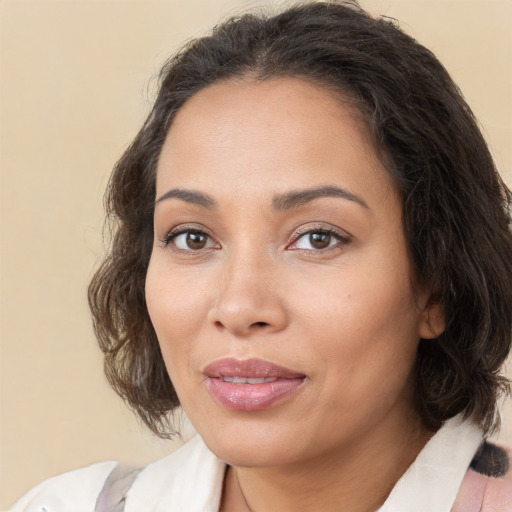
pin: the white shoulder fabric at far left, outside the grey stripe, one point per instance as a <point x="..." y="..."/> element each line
<point x="75" y="491"/>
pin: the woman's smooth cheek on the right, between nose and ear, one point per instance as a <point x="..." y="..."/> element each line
<point x="364" y="330"/>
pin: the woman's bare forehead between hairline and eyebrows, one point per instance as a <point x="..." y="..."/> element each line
<point x="283" y="132"/>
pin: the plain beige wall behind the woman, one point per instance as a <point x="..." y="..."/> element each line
<point x="73" y="91"/>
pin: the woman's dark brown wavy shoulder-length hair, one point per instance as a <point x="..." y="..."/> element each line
<point x="456" y="208"/>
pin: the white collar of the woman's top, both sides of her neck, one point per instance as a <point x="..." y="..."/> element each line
<point x="191" y="478"/>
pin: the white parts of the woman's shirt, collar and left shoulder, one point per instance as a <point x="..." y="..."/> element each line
<point x="190" y="480"/>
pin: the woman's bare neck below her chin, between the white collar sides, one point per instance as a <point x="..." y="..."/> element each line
<point x="357" y="478"/>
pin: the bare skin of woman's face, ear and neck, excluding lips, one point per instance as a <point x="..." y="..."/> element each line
<point x="345" y="315"/>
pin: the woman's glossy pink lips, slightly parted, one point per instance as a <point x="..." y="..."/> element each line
<point x="250" y="397"/>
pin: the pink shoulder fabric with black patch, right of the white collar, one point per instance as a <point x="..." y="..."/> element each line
<point x="487" y="485"/>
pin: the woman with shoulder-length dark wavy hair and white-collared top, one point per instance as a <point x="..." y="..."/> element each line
<point x="312" y="256"/>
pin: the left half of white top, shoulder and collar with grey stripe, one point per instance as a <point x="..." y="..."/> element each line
<point x="191" y="476"/>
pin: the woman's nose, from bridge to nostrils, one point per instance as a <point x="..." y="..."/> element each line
<point x="249" y="298"/>
